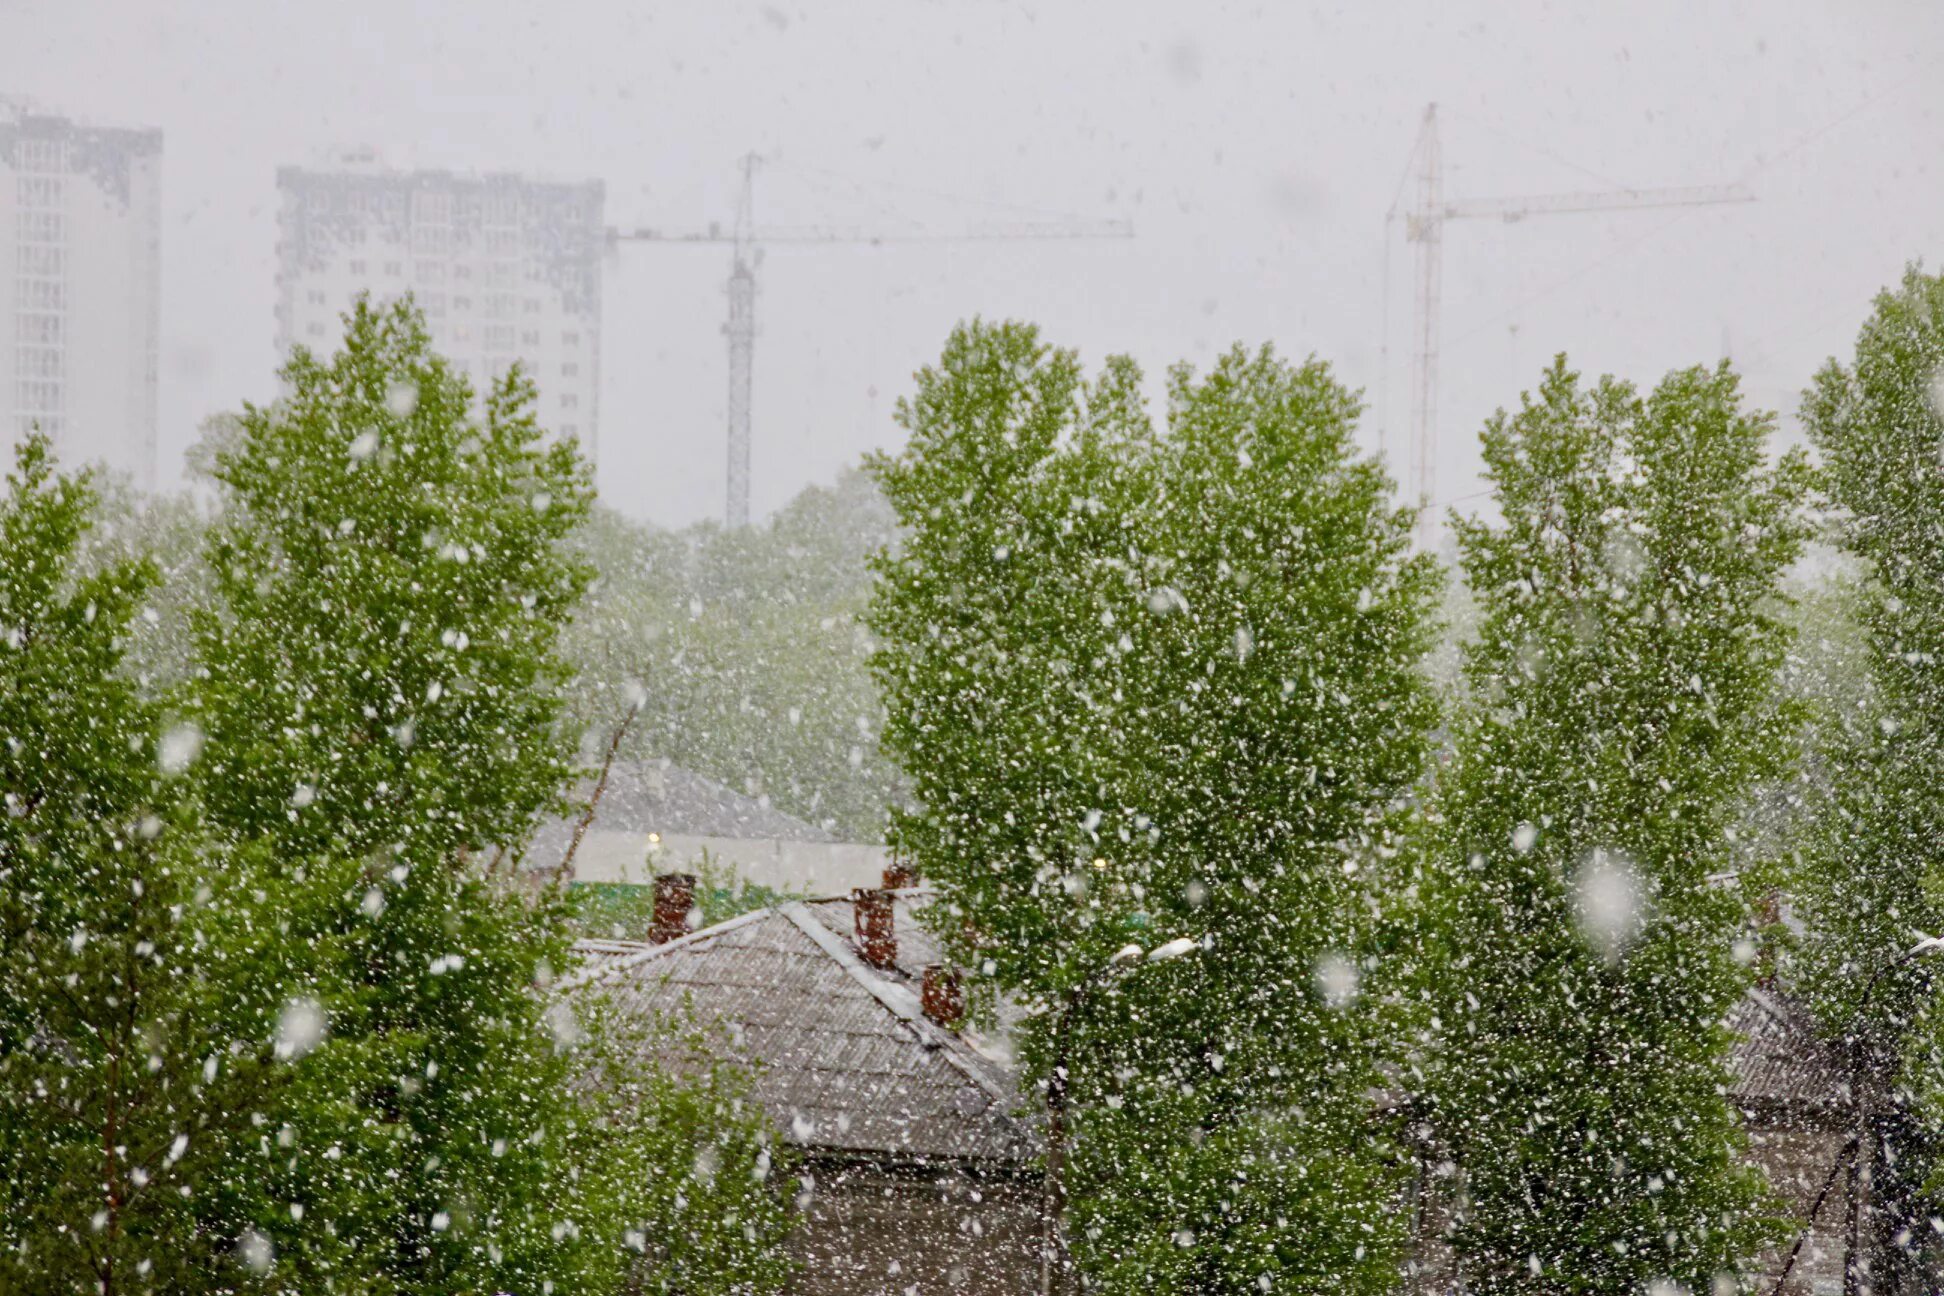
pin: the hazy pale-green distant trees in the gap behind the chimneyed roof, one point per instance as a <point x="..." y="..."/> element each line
<point x="749" y="650"/>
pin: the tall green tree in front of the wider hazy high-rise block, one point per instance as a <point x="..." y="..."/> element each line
<point x="380" y="683"/>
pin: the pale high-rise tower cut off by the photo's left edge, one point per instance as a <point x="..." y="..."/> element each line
<point x="81" y="287"/>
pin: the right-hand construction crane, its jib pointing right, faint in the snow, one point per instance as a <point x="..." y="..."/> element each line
<point x="1426" y="228"/>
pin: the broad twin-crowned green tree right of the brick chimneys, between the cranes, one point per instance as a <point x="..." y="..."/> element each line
<point x="1165" y="685"/>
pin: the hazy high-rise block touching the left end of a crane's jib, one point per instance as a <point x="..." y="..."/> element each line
<point x="504" y="269"/>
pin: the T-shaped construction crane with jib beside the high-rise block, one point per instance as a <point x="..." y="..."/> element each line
<point x="746" y="242"/>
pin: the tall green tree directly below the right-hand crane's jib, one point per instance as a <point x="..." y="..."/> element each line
<point x="1624" y="706"/>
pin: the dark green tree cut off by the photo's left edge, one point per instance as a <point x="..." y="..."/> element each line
<point x="143" y="982"/>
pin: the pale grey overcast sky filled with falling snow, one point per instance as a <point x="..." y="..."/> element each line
<point x="1255" y="147"/>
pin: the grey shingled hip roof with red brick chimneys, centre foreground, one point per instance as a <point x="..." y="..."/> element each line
<point x="847" y="1062"/>
